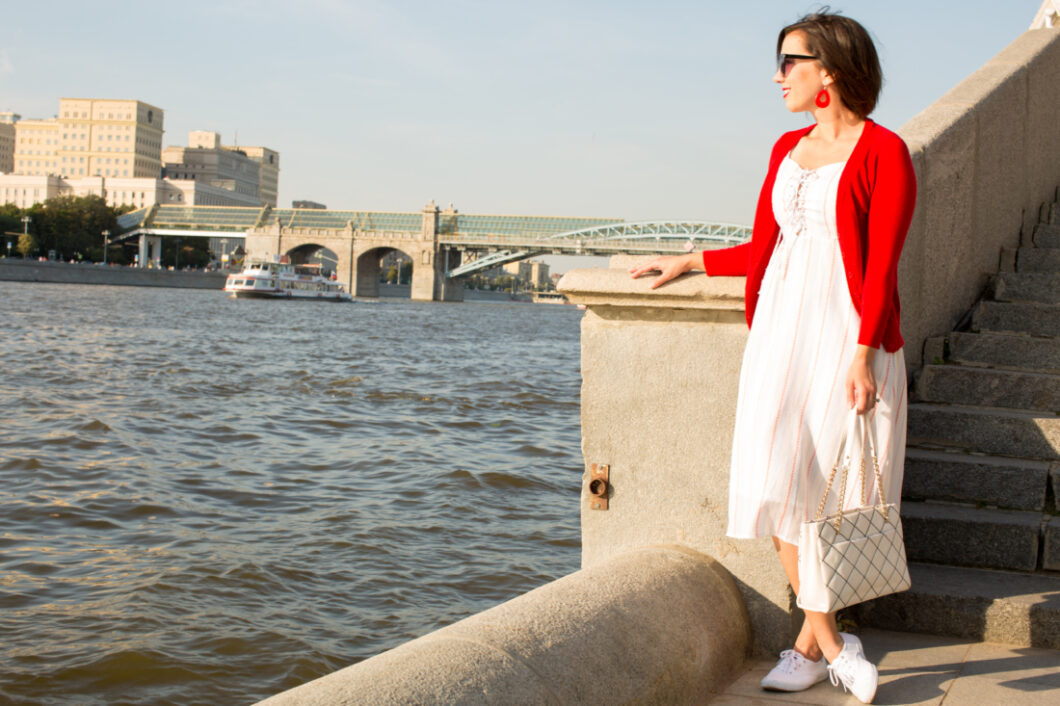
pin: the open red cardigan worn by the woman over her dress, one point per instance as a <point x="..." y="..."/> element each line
<point x="878" y="191"/>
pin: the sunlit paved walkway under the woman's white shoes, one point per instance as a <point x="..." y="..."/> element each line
<point x="925" y="669"/>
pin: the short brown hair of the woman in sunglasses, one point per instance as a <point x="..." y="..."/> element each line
<point x="846" y="51"/>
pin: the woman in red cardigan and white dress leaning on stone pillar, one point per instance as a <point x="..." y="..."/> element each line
<point x="822" y="302"/>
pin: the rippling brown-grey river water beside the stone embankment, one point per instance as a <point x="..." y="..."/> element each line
<point x="207" y="501"/>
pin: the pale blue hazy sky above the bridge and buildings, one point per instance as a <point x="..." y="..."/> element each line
<point x="635" y="111"/>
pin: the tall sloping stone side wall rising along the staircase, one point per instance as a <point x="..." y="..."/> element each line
<point x="987" y="167"/>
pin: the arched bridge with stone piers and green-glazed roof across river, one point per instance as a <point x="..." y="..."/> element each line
<point x="445" y="245"/>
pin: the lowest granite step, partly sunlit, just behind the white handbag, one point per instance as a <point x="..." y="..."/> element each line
<point x="982" y="605"/>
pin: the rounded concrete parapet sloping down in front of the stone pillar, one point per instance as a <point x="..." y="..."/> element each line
<point x="660" y="626"/>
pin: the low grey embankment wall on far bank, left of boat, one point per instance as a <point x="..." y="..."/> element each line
<point x="62" y="273"/>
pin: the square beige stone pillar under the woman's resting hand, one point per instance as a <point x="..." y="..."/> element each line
<point x="661" y="372"/>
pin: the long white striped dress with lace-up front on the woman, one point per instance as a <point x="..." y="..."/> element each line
<point x="792" y="411"/>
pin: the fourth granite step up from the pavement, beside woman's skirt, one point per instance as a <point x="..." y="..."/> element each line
<point x="992" y="431"/>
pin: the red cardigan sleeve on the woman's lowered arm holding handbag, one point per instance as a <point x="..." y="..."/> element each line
<point x="890" y="215"/>
